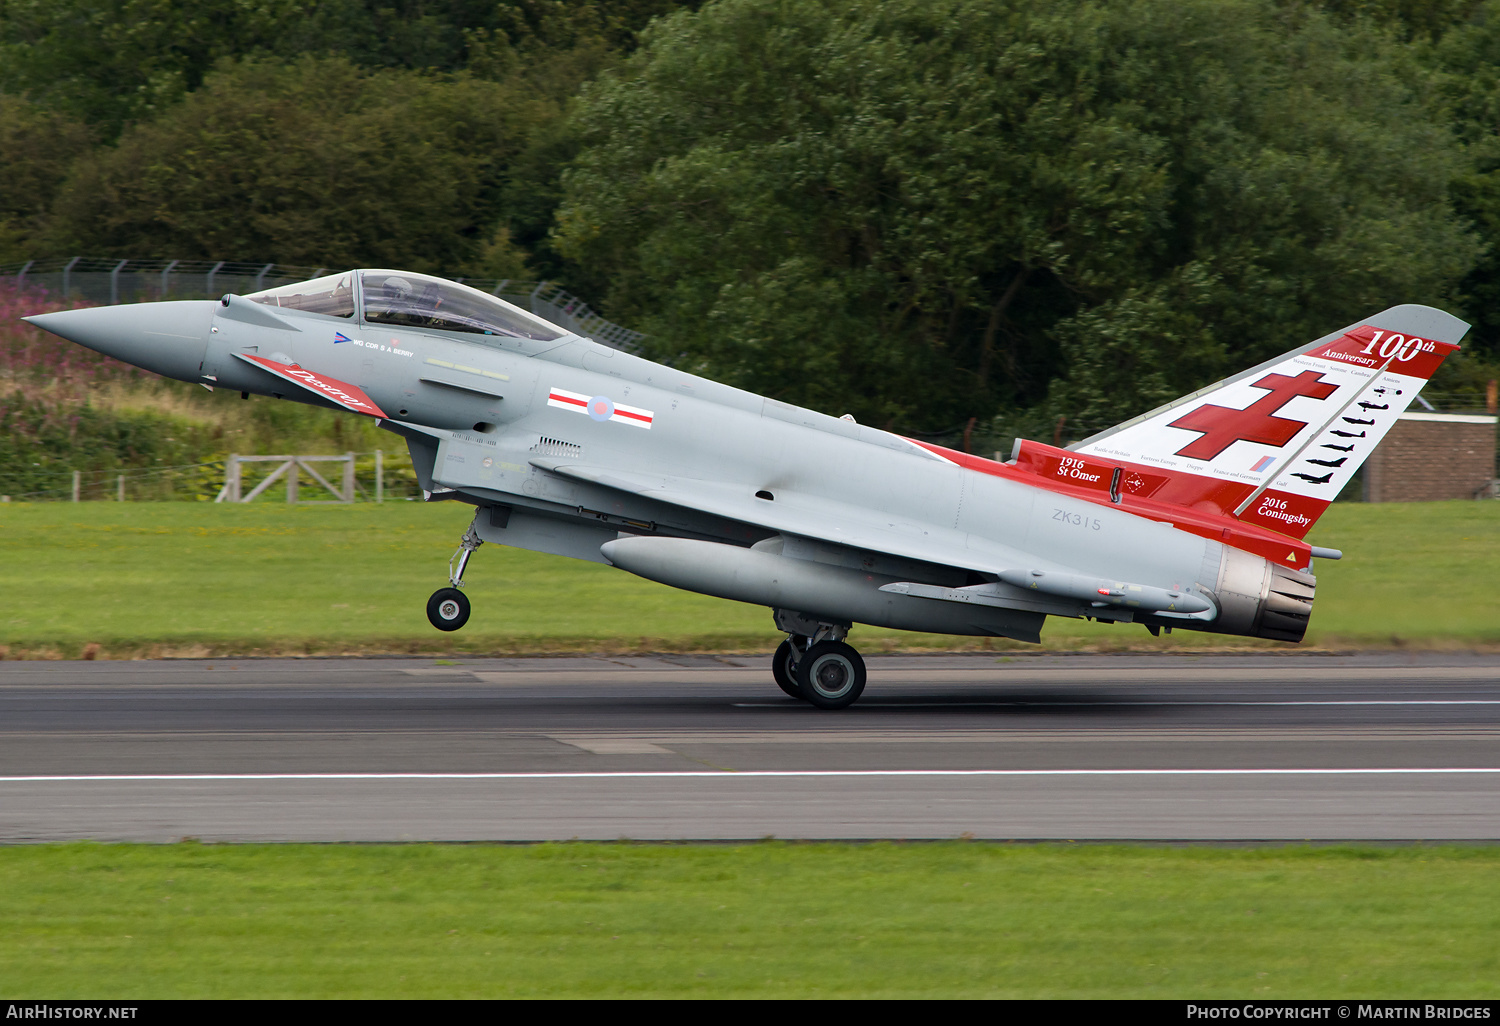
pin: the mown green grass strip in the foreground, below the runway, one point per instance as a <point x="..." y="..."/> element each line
<point x="754" y="920"/>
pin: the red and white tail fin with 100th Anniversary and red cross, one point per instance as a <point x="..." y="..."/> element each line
<point x="1259" y="446"/>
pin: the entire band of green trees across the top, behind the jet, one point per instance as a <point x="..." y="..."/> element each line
<point x="920" y="212"/>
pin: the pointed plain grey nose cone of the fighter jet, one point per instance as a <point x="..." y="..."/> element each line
<point x="167" y="338"/>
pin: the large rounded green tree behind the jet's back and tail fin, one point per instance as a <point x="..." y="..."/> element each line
<point x="923" y="212"/>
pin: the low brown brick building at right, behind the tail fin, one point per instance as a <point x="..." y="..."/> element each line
<point x="1433" y="457"/>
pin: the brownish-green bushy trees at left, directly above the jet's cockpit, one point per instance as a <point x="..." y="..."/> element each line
<point x="316" y="163"/>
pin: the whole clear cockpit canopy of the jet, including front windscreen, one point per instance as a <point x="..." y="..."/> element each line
<point x="412" y="301"/>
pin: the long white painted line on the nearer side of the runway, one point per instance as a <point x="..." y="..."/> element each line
<point x="731" y="775"/>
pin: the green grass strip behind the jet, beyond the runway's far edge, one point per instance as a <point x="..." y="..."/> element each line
<point x="182" y="580"/>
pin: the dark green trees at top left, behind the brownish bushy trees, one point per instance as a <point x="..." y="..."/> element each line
<point x="112" y="62"/>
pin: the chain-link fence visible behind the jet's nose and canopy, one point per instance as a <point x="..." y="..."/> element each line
<point x="107" y="280"/>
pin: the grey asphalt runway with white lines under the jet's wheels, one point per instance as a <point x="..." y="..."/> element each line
<point x="1172" y="748"/>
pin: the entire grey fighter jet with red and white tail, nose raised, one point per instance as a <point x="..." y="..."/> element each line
<point x="1190" y="517"/>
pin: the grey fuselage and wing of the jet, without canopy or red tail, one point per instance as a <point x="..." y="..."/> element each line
<point x="725" y="493"/>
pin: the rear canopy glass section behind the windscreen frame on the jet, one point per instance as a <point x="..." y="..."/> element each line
<point x="416" y="301"/>
